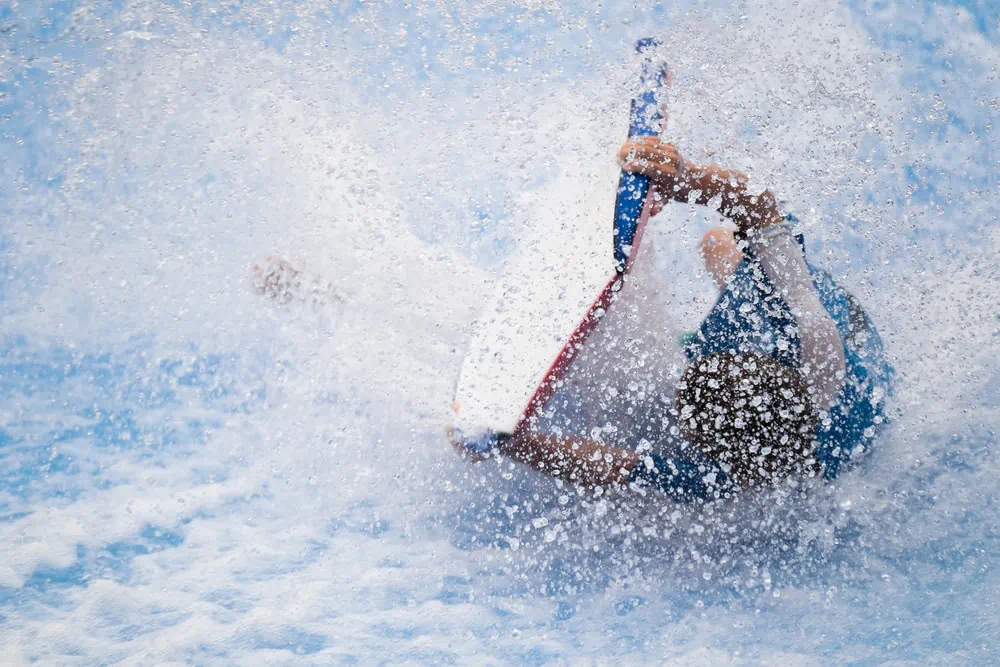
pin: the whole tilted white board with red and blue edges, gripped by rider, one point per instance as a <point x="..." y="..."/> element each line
<point x="559" y="289"/>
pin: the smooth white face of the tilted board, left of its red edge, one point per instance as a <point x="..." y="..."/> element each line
<point x="559" y="272"/>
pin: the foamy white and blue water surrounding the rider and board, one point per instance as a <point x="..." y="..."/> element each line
<point x="192" y="475"/>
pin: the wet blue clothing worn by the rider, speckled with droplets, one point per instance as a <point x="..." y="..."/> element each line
<point x="750" y="317"/>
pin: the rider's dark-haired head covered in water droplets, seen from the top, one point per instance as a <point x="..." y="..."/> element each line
<point x="751" y="414"/>
